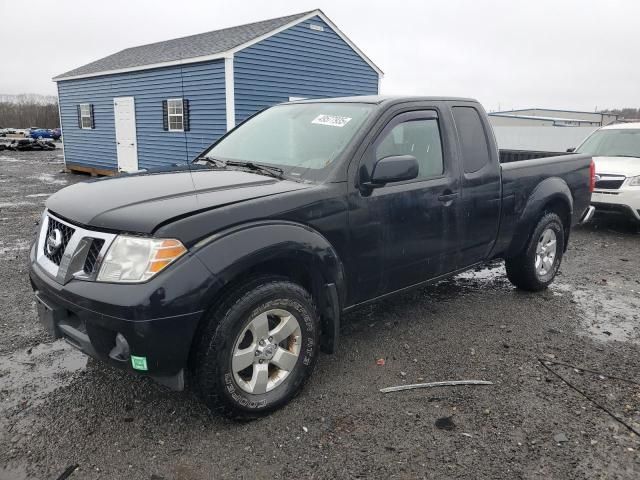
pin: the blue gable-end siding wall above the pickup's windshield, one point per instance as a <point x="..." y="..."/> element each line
<point x="299" y="62"/>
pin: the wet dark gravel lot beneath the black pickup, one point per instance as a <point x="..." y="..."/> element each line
<point x="57" y="409"/>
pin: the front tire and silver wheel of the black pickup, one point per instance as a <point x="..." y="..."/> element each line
<point x="264" y="309"/>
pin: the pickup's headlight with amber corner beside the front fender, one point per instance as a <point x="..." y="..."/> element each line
<point x="137" y="259"/>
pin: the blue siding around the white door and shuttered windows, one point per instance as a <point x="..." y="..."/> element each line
<point x="202" y="84"/>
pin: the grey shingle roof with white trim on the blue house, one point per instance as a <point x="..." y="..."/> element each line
<point x="198" y="48"/>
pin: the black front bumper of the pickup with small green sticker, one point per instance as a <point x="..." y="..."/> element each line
<point x="121" y="324"/>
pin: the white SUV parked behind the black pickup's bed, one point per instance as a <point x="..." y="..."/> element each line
<point x="616" y="152"/>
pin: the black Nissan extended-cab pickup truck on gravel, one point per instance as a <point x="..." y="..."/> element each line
<point x="238" y="268"/>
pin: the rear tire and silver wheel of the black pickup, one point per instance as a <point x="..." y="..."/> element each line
<point x="535" y="268"/>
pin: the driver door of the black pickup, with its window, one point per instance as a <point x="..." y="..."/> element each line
<point x="404" y="233"/>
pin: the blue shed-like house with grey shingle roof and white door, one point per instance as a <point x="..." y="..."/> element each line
<point x="163" y="103"/>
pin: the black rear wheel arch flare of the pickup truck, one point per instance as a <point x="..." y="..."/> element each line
<point x="551" y="195"/>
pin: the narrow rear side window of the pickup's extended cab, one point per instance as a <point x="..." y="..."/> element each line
<point x="473" y="141"/>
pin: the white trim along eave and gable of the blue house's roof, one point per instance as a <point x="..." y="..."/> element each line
<point x="226" y="54"/>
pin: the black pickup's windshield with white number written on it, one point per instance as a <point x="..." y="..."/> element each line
<point x="302" y="139"/>
